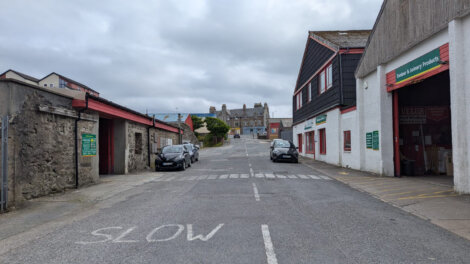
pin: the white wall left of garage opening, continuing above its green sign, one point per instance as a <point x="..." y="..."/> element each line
<point x="375" y="108"/>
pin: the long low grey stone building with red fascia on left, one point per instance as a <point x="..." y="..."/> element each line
<point x="60" y="139"/>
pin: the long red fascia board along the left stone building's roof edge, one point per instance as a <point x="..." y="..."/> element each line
<point x="120" y="113"/>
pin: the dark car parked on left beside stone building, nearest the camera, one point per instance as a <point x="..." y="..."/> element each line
<point x="173" y="157"/>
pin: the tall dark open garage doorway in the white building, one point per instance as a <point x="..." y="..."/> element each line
<point x="422" y="114"/>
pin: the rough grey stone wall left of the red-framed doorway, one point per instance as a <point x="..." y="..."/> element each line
<point x="41" y="150"/>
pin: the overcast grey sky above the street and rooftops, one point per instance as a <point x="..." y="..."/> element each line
<point x="159" y="55"/>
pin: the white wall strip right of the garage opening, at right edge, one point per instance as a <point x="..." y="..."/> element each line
<point x="459" y="57"/>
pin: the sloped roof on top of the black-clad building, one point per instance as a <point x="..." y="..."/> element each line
<point x="343" y="39"/>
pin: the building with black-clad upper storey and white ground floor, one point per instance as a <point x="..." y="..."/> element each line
<point x="325" y="96"/>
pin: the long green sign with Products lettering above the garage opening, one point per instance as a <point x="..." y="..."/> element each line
<point x="421" y="65"/>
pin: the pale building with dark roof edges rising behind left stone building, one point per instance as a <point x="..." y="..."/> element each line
<point x="51" y="81"/>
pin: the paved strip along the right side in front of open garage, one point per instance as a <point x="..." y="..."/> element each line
<point x="429" y="197"/>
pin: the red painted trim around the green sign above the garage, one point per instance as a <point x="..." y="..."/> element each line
<point x="391" y="77"/>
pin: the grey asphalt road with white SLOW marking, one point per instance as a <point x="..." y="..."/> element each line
<point x="236" y="206"/>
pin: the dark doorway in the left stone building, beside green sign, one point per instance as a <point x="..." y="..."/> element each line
<point x="106" y="146"/>
